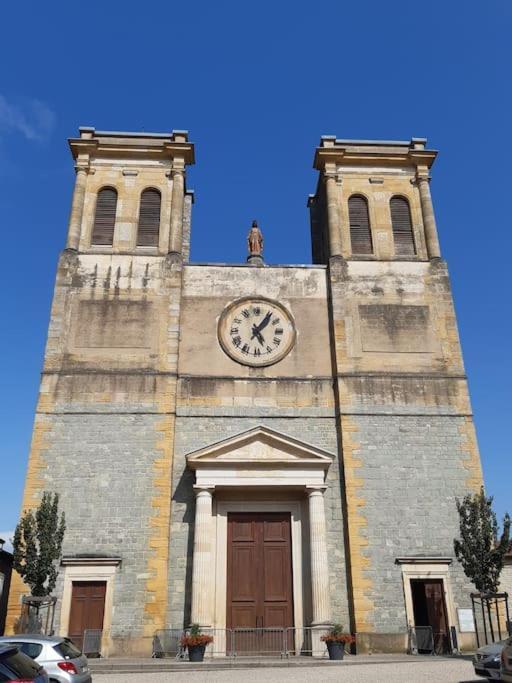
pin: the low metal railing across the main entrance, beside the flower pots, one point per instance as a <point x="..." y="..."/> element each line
<point x="246" y="642"/>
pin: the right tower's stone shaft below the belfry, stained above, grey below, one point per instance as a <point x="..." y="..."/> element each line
<point x="408" y="438"/>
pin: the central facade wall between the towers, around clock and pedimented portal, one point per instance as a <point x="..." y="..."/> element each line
<point x="218" y="398"/>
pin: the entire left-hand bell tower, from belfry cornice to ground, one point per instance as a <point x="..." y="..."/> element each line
<point x="104" y="426"/>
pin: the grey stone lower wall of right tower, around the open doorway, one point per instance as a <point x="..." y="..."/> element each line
<point x="412" y="467"/>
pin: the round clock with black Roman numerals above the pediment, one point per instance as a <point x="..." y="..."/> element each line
<point x="256" y="331"/>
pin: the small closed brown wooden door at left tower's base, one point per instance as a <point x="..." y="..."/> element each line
<point x="87" y="608"/>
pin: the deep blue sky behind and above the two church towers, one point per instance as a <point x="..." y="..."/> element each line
<point x="256" y="84"/>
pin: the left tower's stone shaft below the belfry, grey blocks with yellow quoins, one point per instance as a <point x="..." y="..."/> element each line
<point x="104" y="426"/>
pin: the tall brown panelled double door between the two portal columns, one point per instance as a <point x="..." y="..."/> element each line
<point x="259" y="580"/>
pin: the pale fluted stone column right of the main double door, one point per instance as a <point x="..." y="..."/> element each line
<point x="319" y="563"/>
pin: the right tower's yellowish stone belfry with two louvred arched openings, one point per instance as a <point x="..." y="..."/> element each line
<point x="380" y="173"/>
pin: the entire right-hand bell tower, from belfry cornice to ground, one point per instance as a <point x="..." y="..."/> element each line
<point x="407" y="438"/>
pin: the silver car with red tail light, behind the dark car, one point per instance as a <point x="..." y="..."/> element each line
<point x="63" y="661"/>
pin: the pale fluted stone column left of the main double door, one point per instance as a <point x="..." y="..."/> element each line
<point x="202" y="570"/>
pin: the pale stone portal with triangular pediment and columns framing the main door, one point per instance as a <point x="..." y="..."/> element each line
<point x="262" y="460"/>
